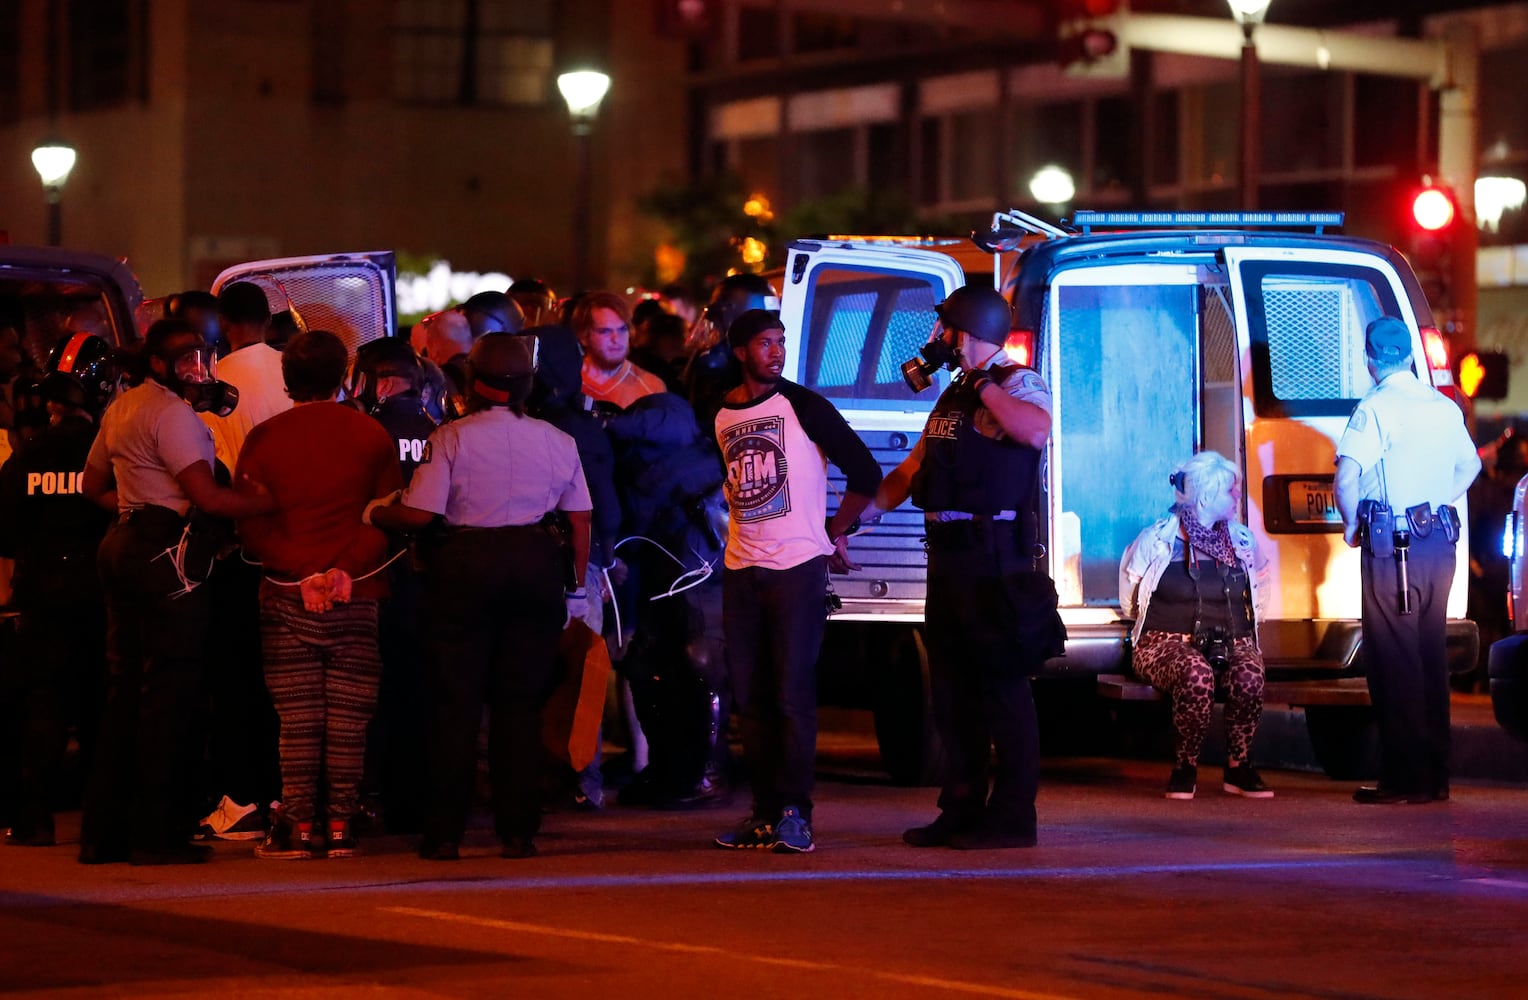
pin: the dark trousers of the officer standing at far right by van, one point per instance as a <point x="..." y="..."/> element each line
<point x="1407" y="661"/>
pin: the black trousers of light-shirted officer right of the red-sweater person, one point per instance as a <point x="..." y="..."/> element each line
<point x="494" y="615"/>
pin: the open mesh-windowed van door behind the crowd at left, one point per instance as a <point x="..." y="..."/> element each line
<point x="351" y="296"/>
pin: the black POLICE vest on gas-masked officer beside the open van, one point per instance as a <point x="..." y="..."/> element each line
<point x="965" y="470"/>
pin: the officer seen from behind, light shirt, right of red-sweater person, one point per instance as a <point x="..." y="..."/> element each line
<point x="496" y="605"/>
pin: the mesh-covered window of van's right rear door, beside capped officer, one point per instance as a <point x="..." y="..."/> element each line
<point x="1307" y="322"/>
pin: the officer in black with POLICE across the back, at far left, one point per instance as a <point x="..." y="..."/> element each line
<point x="50" y="533"/>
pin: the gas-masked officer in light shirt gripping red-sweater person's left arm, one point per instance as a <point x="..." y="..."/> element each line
<point x="152" y="466"/>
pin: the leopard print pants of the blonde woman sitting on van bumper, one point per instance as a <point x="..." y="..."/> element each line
<point x="1170" y="663"/>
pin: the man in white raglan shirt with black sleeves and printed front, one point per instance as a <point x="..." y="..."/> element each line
<point x="777" y="440"/>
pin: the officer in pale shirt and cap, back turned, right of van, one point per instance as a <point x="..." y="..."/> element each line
<point x="1402" y="463"/>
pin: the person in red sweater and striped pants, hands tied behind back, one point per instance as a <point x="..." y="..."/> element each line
<point x="323" y="464"/>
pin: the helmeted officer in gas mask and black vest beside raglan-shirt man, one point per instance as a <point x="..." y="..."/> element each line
<point x="991" y="612"/>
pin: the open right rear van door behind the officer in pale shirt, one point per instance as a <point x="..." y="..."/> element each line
<point x="1301" y="316"/>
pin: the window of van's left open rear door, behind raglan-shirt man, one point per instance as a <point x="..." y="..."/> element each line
<point x="861" y="326"/>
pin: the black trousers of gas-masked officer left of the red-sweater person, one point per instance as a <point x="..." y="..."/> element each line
<point x="140" y="794"/>
